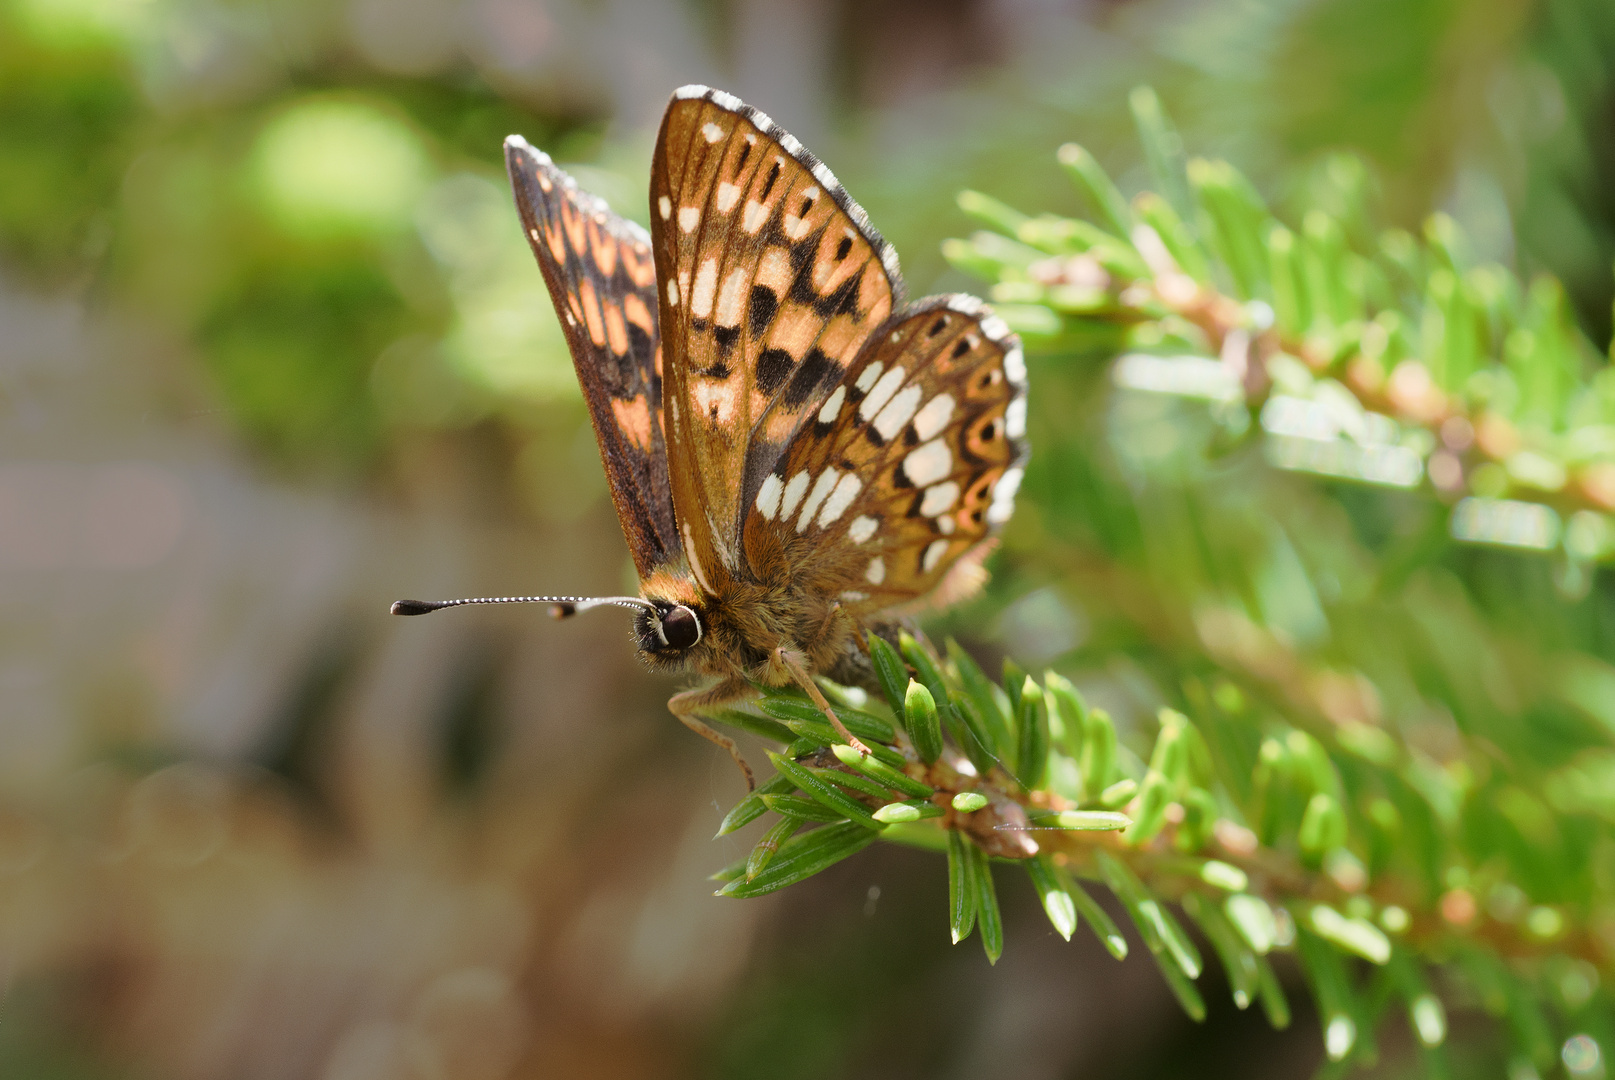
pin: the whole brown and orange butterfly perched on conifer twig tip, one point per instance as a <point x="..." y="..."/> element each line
<point x="794" y="451"/>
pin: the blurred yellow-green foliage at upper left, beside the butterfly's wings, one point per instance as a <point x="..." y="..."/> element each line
<point x="340" y="256"/>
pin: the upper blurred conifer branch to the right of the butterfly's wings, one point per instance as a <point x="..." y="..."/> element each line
<point x="1382" y="359"/>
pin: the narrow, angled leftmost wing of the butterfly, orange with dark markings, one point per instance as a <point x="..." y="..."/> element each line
<point x="603" y="280"/>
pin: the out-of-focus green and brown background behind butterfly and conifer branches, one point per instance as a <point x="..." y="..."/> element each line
<point x="274" y="354"/>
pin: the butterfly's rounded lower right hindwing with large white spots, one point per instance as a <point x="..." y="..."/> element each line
<point x="908" y="466"/>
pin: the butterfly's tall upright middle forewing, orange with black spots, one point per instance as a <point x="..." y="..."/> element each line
<point x="773" y="282"/>
